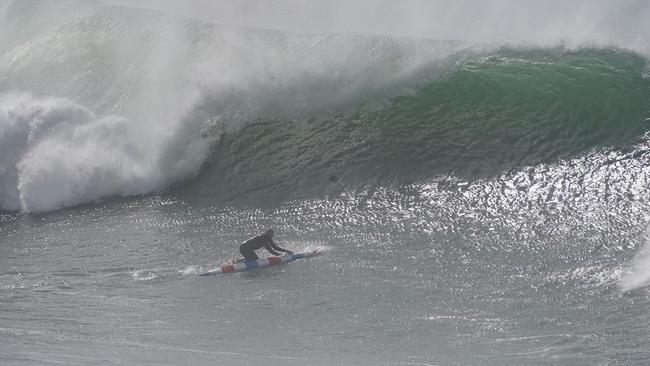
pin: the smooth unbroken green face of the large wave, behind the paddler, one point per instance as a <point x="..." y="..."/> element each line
<point x="495" y="112"/>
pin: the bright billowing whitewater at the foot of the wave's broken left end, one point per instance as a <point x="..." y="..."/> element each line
<point x="55" y="153"/>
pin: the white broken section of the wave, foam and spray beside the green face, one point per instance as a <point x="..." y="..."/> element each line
<point x="167" y="86"/>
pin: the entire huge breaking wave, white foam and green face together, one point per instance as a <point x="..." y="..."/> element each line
<point x="108" y="101"/>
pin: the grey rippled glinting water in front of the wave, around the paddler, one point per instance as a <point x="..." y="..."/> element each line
<point x="432" y="274"/>
